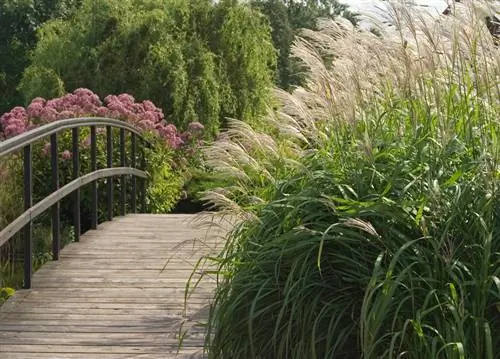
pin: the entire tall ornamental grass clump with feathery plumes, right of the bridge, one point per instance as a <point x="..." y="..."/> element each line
<point x="379" y="235"/>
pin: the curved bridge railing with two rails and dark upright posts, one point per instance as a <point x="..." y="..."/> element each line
<point x="25" y="142"/>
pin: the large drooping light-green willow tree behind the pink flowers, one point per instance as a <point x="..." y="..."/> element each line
<point x="199" y="60"/>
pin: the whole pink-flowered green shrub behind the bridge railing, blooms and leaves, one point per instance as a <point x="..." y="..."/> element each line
<point x="165" y="151"/>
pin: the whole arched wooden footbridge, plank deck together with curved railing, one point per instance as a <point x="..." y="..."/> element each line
<point x="123" y="289"/>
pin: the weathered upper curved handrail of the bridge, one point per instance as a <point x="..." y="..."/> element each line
<point x="18" y="142"/>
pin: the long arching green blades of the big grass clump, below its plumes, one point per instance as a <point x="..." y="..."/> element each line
<point x="370" y="254"/>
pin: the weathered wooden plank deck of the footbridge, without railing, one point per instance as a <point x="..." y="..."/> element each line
<point x="107" y="297"/>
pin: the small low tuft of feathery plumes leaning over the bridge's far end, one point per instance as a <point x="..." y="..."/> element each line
<point x="251" y="163"/>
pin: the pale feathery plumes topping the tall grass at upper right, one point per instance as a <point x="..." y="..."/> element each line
<point x="421" y="49"/>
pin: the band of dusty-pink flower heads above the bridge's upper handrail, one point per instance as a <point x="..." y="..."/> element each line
<point x="83" y="102"/>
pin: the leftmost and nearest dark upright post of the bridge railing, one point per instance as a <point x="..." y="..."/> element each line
<point x="28" y="229"/>
